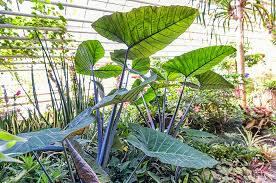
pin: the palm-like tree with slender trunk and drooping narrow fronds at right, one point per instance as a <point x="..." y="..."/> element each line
<point x="244" y="13"/>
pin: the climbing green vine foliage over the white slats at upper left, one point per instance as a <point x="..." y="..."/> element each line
<point x="11" y="46"/>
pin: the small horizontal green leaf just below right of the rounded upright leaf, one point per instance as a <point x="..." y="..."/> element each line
<point x="108" y="71"/>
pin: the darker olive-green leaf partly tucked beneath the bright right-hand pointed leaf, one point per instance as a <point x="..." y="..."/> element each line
<point x="212" y="80"/>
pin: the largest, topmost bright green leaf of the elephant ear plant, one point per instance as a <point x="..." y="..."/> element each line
<point x="148" y="29"/>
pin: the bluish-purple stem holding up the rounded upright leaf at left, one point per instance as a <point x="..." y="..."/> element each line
<point x="99" y="122"/>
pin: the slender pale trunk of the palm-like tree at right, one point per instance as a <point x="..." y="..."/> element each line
<point x="240" y="50"/>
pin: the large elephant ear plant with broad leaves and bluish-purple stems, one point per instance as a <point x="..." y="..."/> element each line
<point x="144" y="31"/>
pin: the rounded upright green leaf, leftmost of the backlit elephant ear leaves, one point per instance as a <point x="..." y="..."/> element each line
<point x="88" y="53"/>
